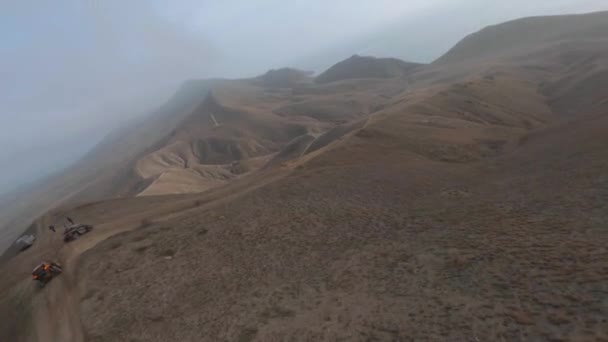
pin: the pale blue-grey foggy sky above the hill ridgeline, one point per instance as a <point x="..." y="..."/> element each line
<point x="72" y="70"/>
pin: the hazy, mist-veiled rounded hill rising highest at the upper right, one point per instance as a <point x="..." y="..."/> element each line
<point x="564" y="55"/>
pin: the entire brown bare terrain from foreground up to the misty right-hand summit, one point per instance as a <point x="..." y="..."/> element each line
<point x="464" y="201"/>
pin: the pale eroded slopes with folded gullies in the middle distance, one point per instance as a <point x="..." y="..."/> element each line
<point x="241" y="125"/>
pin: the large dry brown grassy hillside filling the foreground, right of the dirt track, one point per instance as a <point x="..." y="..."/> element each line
<point x="357" y="245"/>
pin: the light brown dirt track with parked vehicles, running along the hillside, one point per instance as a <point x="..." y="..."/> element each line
<point x="53" y="312"/>
